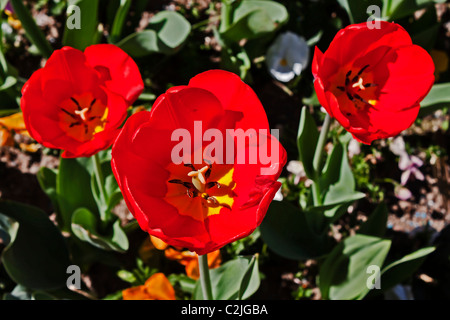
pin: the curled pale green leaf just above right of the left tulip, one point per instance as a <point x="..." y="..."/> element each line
<point x="166" y="33"/>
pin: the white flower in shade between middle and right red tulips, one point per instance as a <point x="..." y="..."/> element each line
<point x="287" y="56"/>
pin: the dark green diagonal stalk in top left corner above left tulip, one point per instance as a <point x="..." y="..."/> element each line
<point x="34" y="33"/>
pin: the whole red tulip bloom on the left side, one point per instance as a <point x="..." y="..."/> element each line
<point x="78" y="100"/>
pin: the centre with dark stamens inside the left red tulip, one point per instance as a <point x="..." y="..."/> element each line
<point x="82" y="116"/>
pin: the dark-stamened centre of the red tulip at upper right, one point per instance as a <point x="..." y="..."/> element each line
<point x="357" y="89"/>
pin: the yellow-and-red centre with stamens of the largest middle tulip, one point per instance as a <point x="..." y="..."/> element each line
<point x="202" y="192"/>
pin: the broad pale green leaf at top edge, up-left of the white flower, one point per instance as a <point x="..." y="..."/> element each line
<point x="254" y="19"/>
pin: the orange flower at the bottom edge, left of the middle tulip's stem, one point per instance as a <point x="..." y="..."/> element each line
<point x="157" y="287"/>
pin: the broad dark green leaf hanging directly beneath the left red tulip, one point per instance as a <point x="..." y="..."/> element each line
<point x="73" y="188"/>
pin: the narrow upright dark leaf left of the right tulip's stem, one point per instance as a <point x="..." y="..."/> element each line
<point x="307" y="137"/>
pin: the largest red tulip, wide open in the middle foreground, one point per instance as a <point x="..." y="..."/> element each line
<point x="199" y="206"/>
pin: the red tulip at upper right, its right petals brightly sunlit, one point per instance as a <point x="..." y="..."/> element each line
<point x="372" y="80"/>
